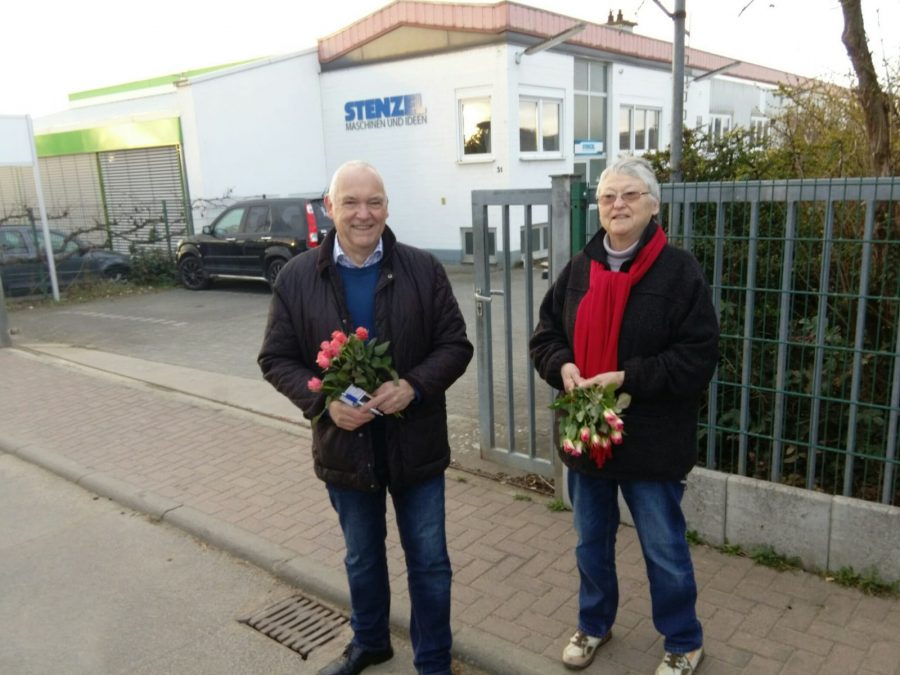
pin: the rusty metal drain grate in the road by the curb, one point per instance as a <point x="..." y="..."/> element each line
<point x="298" y="623"/>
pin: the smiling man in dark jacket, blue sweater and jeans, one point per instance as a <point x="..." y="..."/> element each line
<point x="361" y="276"/>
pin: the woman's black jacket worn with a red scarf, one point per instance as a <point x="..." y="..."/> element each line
<point x="668" y="349"/>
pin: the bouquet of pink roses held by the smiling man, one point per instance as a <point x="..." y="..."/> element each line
<point x="351" y="360"/>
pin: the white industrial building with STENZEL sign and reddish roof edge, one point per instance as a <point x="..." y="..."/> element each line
<point x="442" y="98"/>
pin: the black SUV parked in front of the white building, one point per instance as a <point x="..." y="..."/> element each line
<point x="252" y="239"/>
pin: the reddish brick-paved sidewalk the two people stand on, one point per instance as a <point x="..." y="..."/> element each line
<point x="228" y="460"/>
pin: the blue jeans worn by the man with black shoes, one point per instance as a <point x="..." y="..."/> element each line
<point x="420" y="520"/>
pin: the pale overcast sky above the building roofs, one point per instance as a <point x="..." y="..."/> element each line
<point x="51" y="48"/>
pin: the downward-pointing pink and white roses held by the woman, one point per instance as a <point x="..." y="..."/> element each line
<point x="591" y="422"/>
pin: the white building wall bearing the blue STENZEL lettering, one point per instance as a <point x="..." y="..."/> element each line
<point x="428" y="182"/>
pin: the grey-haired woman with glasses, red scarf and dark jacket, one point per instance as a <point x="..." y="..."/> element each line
<point x="631" y="311"/>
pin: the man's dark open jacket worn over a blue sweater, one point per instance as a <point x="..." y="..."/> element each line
<point x="416" y="311"/>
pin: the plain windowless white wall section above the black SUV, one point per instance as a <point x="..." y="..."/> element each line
<point x="256" y="130"/>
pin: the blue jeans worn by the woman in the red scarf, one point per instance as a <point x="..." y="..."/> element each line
<point x="656" y="509"/>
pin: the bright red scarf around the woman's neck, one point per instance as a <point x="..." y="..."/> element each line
<point x="599" y="317"/>
